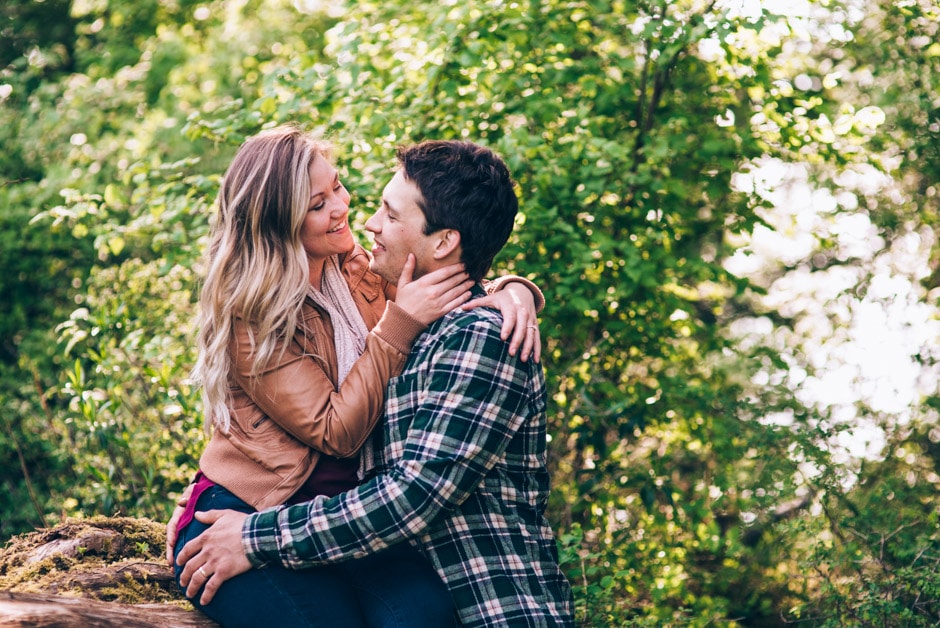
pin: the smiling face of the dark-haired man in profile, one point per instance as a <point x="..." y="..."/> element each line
<point x="398" y="229"/>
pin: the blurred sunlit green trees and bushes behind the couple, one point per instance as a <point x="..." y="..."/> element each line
<point x="716" y="197"/>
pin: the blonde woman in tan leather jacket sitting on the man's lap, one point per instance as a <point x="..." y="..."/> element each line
<point x="294" y="379"/>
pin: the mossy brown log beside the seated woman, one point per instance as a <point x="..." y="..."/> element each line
<point x="103" y="571"/>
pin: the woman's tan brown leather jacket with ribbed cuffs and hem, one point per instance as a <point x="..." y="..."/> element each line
<point x="292" y="411"/>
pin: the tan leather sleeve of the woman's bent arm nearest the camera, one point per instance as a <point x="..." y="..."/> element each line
<point x="297" y="394"/>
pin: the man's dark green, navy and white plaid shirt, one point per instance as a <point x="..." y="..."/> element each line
<point x="460" y="470"/>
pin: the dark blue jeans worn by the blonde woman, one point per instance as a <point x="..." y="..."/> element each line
<point x="394" y="588"/>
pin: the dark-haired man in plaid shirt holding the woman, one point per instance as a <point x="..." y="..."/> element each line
<point x="460" y="462"/>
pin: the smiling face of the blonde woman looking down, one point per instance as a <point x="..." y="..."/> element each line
<point x="325" y="230"/>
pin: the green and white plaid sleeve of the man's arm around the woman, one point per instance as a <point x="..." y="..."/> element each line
<point x="472" y="397"/>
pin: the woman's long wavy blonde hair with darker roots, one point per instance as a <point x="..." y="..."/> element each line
<point x="257" y="268"/>
